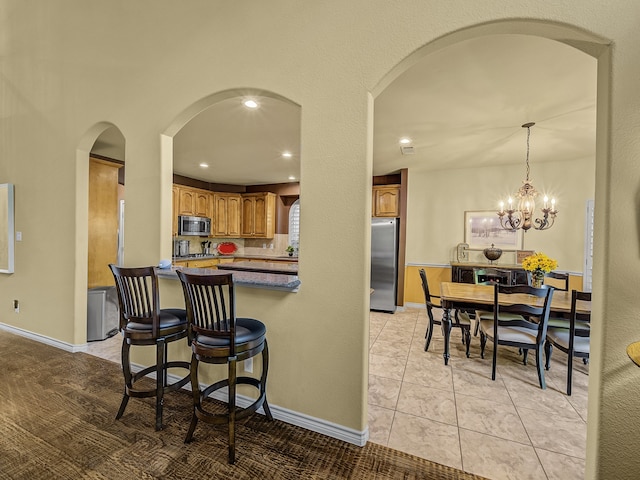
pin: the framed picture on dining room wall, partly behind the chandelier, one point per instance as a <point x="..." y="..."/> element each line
<point x="482" y="228"/>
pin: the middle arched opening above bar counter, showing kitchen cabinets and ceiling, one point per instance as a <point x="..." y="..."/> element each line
<point x="232" y="154"/>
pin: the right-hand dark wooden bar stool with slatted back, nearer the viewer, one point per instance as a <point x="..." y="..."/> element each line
<point x="219" y="337"/>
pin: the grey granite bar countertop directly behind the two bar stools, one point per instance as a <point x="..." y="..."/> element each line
<point x="270" y="281"/>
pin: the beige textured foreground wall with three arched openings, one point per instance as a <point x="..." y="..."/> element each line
<point x="139" y="65"/>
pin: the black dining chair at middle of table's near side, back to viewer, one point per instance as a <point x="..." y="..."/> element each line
<point x="523" y="333"/>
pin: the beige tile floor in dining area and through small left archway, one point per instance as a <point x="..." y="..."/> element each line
<point x="456" y="415"/>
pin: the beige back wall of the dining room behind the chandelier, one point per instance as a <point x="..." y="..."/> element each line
<point x="438" y="199"/>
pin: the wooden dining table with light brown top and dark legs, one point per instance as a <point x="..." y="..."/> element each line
<point x="468" y="296"/>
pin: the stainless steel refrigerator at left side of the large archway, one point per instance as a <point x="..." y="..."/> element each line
<point x="384" y="264"/>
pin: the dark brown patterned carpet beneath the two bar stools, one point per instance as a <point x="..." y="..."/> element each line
<point x="57" y="421"/>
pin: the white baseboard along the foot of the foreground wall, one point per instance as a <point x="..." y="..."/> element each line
<point x="298" y="419"/>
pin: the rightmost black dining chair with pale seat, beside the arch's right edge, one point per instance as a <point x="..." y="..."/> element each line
<point x="573" y="341"/>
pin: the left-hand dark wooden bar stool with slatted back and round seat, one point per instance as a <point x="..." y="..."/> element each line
<point x="143" y="322"/>
